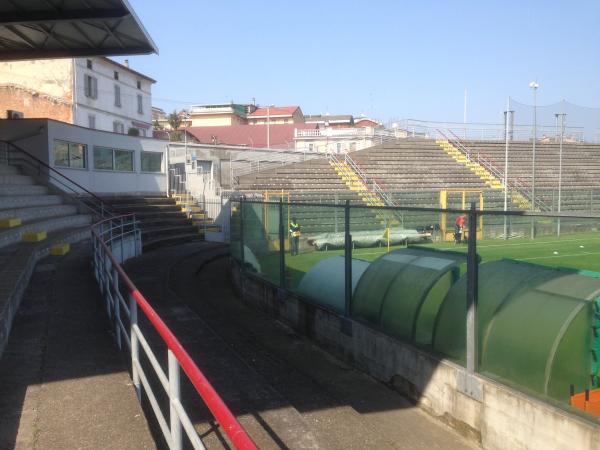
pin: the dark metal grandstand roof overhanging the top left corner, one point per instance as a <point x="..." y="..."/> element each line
<point x="34" y="29"/>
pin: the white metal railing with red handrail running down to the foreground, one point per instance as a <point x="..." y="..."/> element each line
<point x="114" y="241"/>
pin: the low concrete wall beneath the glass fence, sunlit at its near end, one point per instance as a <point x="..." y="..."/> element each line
<point x="503" y="418"/>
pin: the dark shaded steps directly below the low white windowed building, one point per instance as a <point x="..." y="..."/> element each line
<point x="163" y="220"/>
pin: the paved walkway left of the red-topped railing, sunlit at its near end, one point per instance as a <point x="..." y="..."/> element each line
<point x="62" y="383"/>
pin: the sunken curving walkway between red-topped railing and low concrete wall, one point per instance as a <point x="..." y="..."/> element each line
<point x="286" y="392"/>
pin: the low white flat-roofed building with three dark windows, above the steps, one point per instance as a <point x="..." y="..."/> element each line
<point x="104" y="163"/>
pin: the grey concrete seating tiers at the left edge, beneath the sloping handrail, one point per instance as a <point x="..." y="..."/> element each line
<point x="35" y="209"/>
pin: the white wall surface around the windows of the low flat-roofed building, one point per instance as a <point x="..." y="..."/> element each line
<point x="44" y="133"/>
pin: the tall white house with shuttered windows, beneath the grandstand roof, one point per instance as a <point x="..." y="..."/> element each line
<point x="96" y="93"/>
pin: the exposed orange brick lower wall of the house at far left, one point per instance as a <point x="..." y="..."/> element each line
<point x="34" y="104"/>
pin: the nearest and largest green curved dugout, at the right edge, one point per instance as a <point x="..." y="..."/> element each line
<point x="534" y="327"/>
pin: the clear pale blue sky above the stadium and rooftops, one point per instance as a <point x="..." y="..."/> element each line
<point x="385" y="59"/>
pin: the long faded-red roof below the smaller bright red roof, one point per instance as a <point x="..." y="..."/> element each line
<point x="281" y="136"/>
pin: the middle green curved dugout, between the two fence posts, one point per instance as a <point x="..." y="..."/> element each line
<point x="401" y="292"/>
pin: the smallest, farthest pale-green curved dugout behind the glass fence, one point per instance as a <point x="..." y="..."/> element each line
<point x="324" y="282"/>
